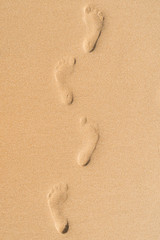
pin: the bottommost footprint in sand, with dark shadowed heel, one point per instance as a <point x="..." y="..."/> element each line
<point x="56" y="198"/>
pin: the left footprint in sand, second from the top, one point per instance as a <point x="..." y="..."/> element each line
<point x="62" y="71"/>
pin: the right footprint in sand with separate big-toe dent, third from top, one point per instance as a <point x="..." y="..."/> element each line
<point x="90" y="137"/>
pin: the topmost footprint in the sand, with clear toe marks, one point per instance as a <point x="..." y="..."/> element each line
<point x="93" y="19"/>
